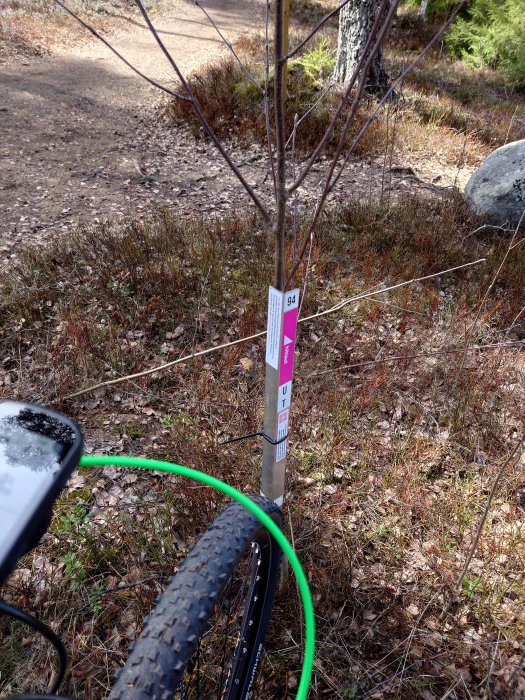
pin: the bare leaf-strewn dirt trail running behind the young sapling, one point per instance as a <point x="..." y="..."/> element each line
<point x="81" y="139"/>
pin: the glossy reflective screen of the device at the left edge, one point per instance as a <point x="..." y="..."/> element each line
<point x="33" y="445"/>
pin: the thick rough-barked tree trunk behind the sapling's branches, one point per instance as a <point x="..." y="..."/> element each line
<point x="355" y="22"/>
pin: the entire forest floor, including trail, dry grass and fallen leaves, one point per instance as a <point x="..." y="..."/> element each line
<point x="125" y="243"/>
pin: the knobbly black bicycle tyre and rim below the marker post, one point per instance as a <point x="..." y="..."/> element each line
<point x="205" y="638"/>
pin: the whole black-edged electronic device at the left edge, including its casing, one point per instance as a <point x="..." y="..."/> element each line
<point x="39" y="449"/>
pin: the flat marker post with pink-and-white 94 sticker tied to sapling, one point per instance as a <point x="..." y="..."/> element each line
<point x="283" y="312"/>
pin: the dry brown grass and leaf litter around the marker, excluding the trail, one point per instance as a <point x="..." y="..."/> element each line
<point x="389" y="467"/>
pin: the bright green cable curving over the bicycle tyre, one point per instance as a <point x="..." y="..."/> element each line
<point x="304" y="589"/>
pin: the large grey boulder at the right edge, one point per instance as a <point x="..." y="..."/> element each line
<point x="497" y="188"/>
